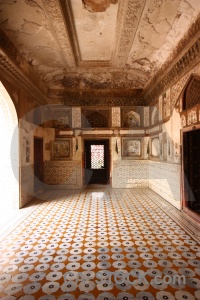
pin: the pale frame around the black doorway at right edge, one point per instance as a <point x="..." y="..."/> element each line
<point x="184" y="203"/>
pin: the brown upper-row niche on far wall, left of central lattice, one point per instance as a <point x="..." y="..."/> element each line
<point x="62" y="118"/>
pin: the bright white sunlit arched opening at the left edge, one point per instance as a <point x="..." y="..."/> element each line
<point x="9" y="156"/>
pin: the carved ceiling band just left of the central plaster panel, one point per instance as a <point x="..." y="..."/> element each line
<point x="53" y="7"/>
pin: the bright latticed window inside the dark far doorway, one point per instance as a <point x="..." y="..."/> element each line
<point x="97" y="156"/>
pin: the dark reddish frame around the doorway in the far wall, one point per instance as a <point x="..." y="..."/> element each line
<point x="109" y="153"/>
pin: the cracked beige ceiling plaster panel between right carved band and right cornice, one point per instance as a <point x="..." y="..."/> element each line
<point x="162" y="26"/>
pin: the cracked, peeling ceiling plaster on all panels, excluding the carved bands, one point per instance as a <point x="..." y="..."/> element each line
<point x="161" y="26"/>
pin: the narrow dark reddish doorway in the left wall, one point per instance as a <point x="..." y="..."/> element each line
<point x="38" y="164"/>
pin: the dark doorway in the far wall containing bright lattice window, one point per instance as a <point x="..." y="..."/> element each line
<point x="96" y="161"/>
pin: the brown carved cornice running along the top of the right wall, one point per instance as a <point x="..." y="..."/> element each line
<point x="177" y="65"/>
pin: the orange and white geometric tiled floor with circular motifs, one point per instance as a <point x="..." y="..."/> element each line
<point x="99" y="244"/>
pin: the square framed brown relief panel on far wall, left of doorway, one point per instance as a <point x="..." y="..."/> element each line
<point x="61" y="149"/>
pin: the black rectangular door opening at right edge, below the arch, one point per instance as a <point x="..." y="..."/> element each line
<point x="191" y="170"/>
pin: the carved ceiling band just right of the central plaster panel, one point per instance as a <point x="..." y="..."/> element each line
<point x="126" y="28"/>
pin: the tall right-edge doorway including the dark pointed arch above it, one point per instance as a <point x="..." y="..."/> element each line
<point x="190" y="112"/>
